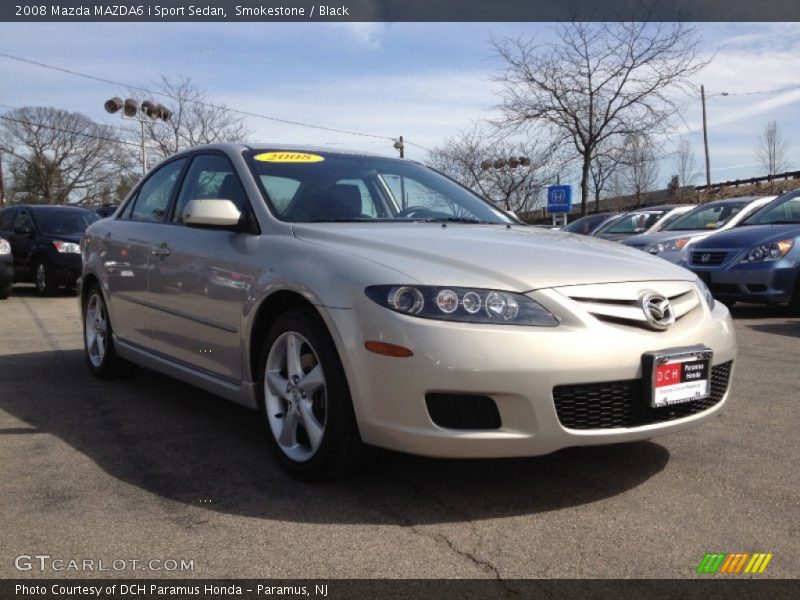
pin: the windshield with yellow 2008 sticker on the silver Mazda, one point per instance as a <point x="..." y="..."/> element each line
<point x="335" y="187"/>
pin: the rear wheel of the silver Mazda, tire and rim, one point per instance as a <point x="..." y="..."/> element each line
<point x="101" y="355"/>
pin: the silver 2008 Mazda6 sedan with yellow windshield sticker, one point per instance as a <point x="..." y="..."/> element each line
<point x="364" y="301"/>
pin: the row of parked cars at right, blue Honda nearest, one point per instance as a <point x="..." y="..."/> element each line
<point x="745" y="249"/>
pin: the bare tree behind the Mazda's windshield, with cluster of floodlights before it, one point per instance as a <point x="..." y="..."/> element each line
<point x="515" y="188"/>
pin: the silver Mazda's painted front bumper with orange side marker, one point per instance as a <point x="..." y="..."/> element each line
<point x="517" y="367"/>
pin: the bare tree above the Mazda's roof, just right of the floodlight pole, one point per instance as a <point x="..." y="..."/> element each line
<point x="195" y="119"/>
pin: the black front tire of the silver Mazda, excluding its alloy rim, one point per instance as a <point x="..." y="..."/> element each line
<point x="341" y="451"/>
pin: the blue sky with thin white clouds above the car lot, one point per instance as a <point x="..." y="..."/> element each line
<point x="425" y="81"/>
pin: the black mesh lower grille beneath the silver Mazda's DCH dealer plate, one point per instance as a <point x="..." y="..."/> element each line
<point x="621" y="403"/>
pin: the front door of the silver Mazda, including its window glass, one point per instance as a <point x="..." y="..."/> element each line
<point x="200" y="284"/>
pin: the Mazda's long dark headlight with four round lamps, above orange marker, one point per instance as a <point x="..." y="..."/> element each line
<point x="462" y="304"/>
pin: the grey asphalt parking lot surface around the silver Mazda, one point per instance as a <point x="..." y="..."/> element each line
<point x="150" y="468"/>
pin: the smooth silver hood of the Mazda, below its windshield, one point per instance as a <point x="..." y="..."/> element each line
<point x="517" y="258"/>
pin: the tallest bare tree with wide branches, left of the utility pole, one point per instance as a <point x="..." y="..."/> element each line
<point x="598" y="82"/>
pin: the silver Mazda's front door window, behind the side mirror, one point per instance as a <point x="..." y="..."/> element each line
<point x="210" y="177"/>
